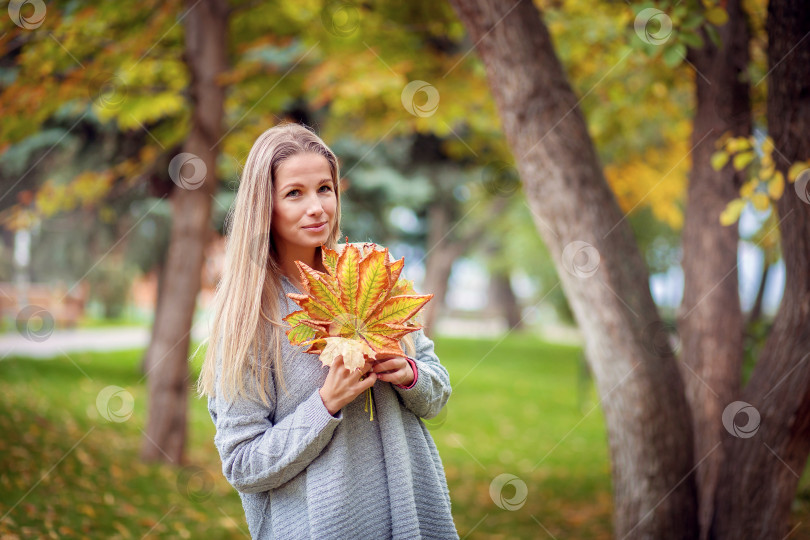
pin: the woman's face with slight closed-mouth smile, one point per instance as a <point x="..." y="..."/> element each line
<point x="304" y="196"/>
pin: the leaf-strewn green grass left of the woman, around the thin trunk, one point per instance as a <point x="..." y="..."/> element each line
<point x="98" y="488"/>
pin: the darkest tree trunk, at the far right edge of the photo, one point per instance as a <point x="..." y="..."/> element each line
<point x="758" y="479"/>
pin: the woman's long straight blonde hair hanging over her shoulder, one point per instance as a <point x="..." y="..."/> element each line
<point x="246" y="323"/>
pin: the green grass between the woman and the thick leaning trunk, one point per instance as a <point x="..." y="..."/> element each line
<point x="521" y="407"/>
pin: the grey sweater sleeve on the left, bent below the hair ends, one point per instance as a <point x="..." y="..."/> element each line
<point x="258" y="455"/>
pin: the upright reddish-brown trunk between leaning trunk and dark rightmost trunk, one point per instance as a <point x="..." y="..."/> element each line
<point x="711" y="322"/>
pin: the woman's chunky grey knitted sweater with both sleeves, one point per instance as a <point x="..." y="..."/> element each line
<point x="303" y="473"/>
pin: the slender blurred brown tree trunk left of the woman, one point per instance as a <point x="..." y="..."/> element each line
<point x="205" y="37"/>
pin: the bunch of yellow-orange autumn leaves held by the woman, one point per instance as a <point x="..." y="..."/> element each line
<point x="358" y="306"/>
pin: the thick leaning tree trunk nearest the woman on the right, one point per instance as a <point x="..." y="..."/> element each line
<point x="601" y="269"/>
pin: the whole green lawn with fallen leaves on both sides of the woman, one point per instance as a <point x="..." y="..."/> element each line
<point x="519" y="406"/>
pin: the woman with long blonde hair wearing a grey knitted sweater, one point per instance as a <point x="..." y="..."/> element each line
<point x="295" y="436"/>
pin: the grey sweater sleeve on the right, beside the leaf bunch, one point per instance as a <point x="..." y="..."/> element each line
<point x="431" y="389"/>
